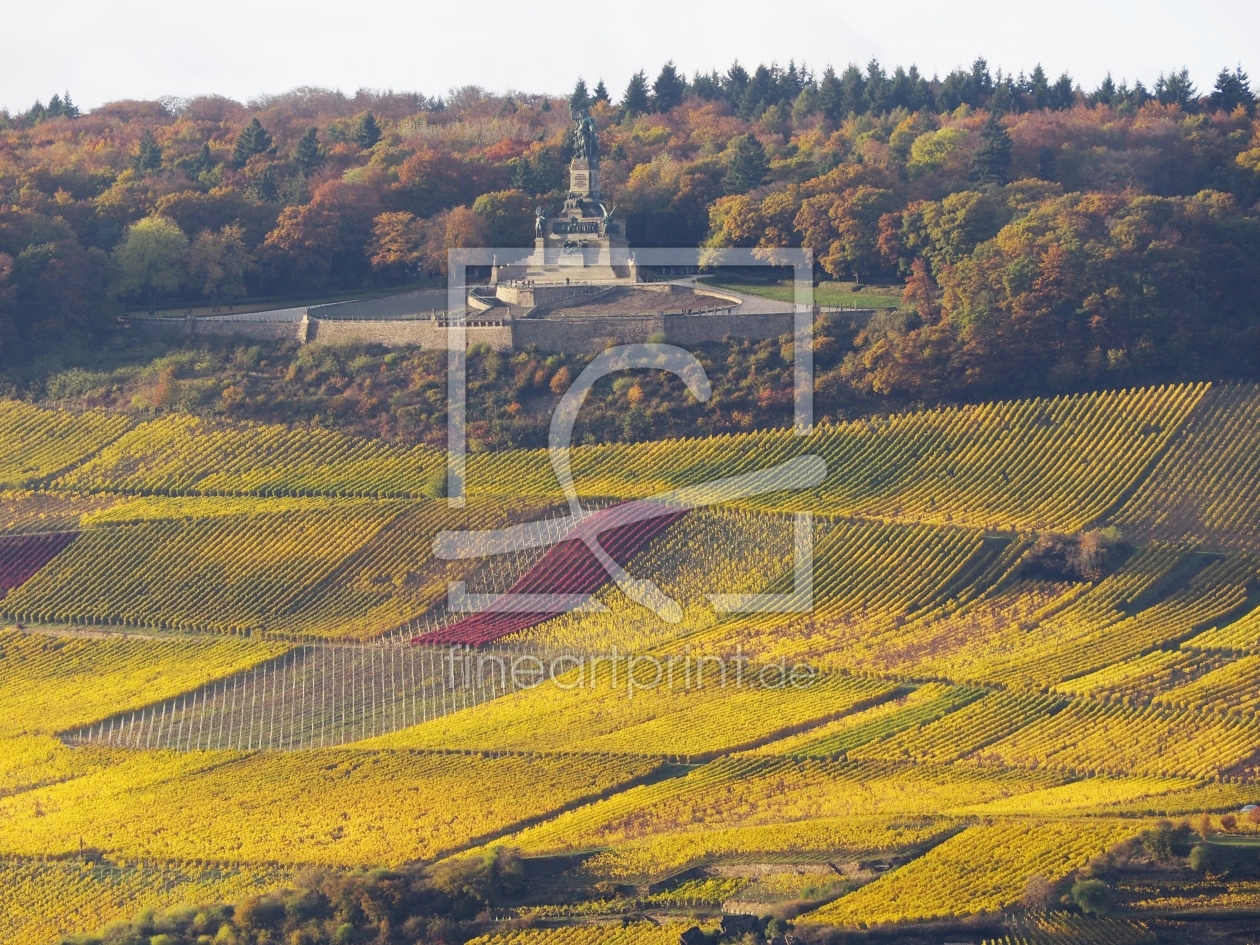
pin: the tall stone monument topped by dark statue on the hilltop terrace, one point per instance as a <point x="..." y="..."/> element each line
<point x="584" y="241"/>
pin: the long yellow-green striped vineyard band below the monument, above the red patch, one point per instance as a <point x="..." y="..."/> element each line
<point x="1019" y="466"/>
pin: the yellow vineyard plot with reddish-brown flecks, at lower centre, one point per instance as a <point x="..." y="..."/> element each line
<point x="763" y="807"/>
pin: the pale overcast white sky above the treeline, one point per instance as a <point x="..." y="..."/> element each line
<point x="144" y="50"/>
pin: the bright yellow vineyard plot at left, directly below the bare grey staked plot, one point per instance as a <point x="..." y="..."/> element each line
<point x="357" y="808"/>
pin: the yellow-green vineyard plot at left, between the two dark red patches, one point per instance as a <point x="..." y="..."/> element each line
<point x="352" y="569"/>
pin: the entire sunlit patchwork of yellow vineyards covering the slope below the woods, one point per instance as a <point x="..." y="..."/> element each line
<point x="235" y="652"/>
